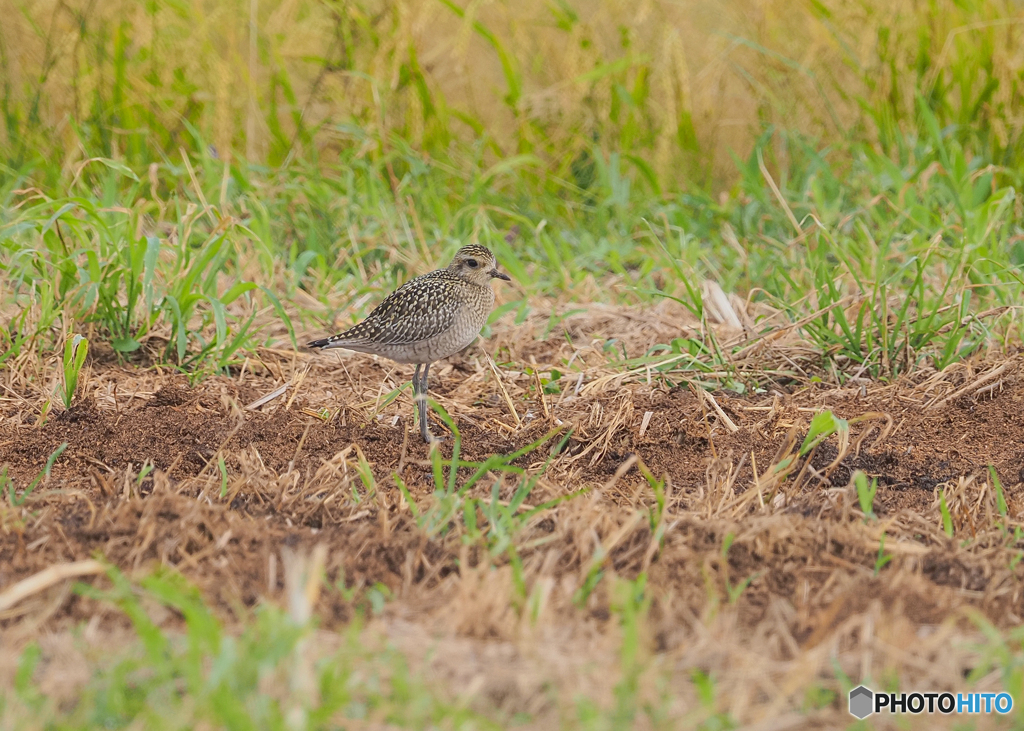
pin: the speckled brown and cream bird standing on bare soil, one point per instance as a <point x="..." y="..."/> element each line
<point x="428" y="319"/>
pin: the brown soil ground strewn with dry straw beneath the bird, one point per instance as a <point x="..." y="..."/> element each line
<point x="675" y="561"/>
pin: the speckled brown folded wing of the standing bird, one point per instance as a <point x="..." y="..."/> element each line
<point x="420" y="310"/>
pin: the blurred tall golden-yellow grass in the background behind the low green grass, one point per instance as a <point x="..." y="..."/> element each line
<point x="705" y="78"/>
